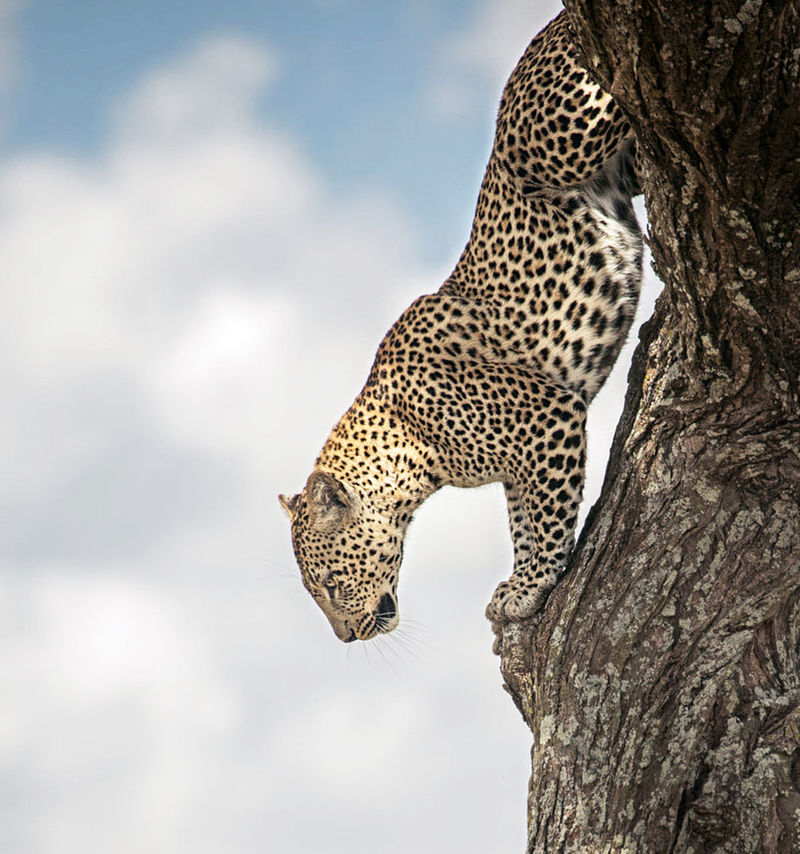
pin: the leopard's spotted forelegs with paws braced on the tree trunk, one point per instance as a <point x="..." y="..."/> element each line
<point x="543" y="509"/>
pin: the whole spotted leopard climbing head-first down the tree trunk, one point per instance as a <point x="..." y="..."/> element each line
<point x="489" y="378"/>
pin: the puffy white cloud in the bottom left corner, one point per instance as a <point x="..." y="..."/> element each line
<point x="112" y="703"/>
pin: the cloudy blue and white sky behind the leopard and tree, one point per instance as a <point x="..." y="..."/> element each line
<point x="210" y="213"/>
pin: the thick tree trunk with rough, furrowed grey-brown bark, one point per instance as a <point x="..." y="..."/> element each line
<point x="662" y="680"/>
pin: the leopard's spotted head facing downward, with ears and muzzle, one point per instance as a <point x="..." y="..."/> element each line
<point x="349" y="554"/>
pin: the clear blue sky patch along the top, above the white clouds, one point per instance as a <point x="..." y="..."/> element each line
<point x="77" y="59"/>
